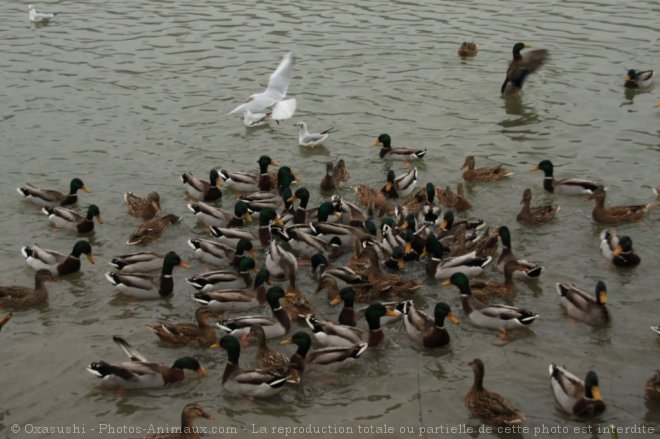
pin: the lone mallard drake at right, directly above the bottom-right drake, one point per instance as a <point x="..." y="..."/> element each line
<point x="580" y="305"/>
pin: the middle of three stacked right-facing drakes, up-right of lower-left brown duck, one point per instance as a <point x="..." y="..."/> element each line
<point x="236" y="299"/>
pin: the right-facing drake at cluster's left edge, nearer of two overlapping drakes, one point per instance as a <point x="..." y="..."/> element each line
<point x="144" y="286"/>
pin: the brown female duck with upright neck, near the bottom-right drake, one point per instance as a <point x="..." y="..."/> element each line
<point x="491" y="407"/>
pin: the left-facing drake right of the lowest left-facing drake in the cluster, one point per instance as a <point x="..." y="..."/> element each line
<point x="329" y="355"/>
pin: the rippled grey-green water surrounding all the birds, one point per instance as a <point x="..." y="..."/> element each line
<point x="128" y="95"/>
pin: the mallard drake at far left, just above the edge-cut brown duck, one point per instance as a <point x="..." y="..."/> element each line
<point x="56" y="262"/>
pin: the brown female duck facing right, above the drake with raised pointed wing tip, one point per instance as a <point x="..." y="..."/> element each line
<point x="201" y="334"/>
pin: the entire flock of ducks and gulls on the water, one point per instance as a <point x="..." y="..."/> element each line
<point x="413" y="229"/>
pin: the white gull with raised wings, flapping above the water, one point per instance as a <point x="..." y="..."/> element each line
<point x="274" y="95"/>
